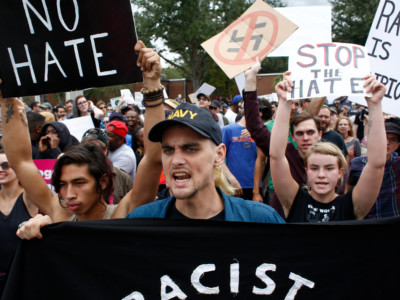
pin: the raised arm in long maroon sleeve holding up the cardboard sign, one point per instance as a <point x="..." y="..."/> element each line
<point x="258" y="131"/>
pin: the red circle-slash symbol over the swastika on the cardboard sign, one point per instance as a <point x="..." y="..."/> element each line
<point x="239" y="58"/>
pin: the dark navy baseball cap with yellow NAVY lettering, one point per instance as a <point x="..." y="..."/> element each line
<point x="196" y="118"/>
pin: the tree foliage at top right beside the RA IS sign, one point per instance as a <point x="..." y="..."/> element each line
<point x="352" y="20"/>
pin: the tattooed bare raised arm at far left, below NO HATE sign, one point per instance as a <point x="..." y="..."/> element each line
<point x="19" y="156"/>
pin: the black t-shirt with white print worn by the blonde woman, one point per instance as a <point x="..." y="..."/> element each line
<point x="306" y="209"/>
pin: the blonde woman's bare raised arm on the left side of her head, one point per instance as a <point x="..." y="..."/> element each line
<point x="284" y="184"/>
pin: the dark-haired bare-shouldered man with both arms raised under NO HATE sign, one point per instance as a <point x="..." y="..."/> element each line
<point x="82" y="186"/>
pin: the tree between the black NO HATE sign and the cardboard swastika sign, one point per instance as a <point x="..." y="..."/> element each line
<point x="182" y="25"/>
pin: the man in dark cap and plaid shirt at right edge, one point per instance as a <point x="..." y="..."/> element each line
<point x="388" y="202"/>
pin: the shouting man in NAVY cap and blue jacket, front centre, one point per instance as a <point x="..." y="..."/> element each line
<point x="192" y="153"/>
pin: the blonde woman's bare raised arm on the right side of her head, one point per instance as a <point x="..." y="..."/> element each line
<point x="367" y="188"/>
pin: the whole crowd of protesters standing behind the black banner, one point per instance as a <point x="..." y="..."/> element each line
<point x="291" y="155"/>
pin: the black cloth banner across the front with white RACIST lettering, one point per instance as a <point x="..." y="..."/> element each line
<point x="171" y="259"/>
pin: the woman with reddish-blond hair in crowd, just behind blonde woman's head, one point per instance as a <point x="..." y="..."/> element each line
<point x="344" y="127"/>
